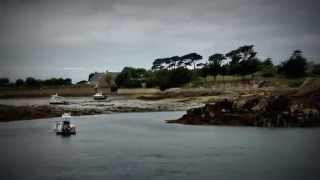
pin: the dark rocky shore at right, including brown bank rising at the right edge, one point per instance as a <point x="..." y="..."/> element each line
<point x="289" y="108"/>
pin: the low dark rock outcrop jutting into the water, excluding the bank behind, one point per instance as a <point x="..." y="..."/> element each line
<point x="262" y="111"/>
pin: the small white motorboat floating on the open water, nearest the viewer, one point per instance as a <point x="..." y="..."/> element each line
<point x="64" y="126"/>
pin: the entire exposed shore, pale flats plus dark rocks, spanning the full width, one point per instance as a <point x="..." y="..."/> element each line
<point x="245" y="105"/>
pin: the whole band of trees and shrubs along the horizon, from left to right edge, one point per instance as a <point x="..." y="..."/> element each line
<point x="193" y="70"/>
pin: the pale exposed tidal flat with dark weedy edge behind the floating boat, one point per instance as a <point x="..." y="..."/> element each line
<point x="36" y="108"/>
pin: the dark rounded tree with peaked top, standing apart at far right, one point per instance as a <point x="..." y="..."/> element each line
<point x="294" y="67"/>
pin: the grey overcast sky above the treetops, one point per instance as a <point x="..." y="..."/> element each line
<point x="71" y="38"/>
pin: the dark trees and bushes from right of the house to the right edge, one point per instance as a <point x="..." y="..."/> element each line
<point x="175" y="71"/>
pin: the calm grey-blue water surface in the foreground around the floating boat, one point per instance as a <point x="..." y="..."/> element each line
<point x="141" y="146"/>
